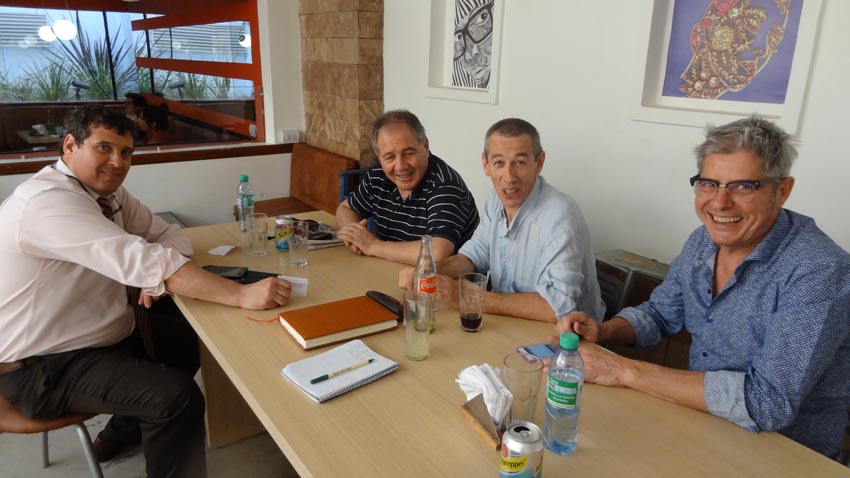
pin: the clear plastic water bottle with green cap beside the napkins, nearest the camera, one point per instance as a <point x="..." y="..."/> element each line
<point x="563" y="397"/>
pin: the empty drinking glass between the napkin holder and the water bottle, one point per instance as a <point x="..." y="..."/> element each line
<point x="521" y="375"/>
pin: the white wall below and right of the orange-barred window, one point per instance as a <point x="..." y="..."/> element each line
<point x="203" y="192"/>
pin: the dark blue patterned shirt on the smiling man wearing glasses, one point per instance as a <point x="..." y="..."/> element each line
<point x="775" y="342"/>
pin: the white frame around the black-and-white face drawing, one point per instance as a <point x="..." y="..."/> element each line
<point x="442" y="51"/>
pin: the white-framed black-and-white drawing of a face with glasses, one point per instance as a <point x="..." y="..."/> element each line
<point x="464" y="50"/>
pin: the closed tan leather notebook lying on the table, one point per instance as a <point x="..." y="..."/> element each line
<point x="337" y="321"/>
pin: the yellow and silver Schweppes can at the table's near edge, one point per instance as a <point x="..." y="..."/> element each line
<point x="522" y="451"/>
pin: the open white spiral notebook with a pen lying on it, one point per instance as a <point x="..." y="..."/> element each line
<point x="302" y="372"/>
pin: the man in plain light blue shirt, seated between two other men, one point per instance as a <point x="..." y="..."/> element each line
<point x="532" y="239"/>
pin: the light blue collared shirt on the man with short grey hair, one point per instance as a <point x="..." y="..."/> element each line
<point x="546" y="250"/>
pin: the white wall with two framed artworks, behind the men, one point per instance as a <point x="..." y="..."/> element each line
<point x="567" y="66"/>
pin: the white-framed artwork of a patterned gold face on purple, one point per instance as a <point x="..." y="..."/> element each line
<point x="714" y="61"/>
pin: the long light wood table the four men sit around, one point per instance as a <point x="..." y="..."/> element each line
<point x="410" y="424"/>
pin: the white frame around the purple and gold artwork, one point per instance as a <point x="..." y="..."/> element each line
<point x="654" y="55"/>
